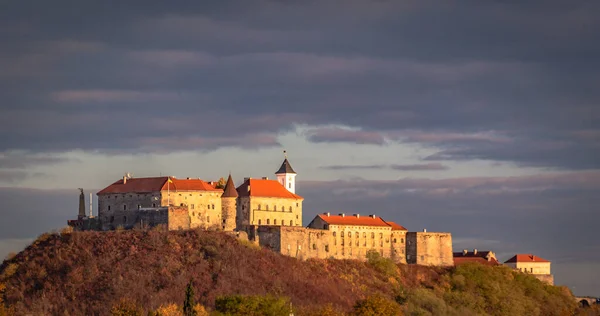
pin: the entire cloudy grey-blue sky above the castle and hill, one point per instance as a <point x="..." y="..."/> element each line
<point x="476" y="118"/>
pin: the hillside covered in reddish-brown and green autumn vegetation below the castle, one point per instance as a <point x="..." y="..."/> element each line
<point x="97" y="273"/>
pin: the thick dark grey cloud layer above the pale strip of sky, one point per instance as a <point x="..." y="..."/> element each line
<point x="115" y="76"/>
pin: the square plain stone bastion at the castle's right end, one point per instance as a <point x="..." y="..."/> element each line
<point x="427" y="248"/>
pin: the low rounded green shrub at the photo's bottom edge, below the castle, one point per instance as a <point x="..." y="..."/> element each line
<point x="253" y="305"/>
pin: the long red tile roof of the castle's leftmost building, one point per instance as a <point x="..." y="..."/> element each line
<point x="155" y="184"/>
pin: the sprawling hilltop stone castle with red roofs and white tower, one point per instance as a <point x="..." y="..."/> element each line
<point x="268" y="211"/>
